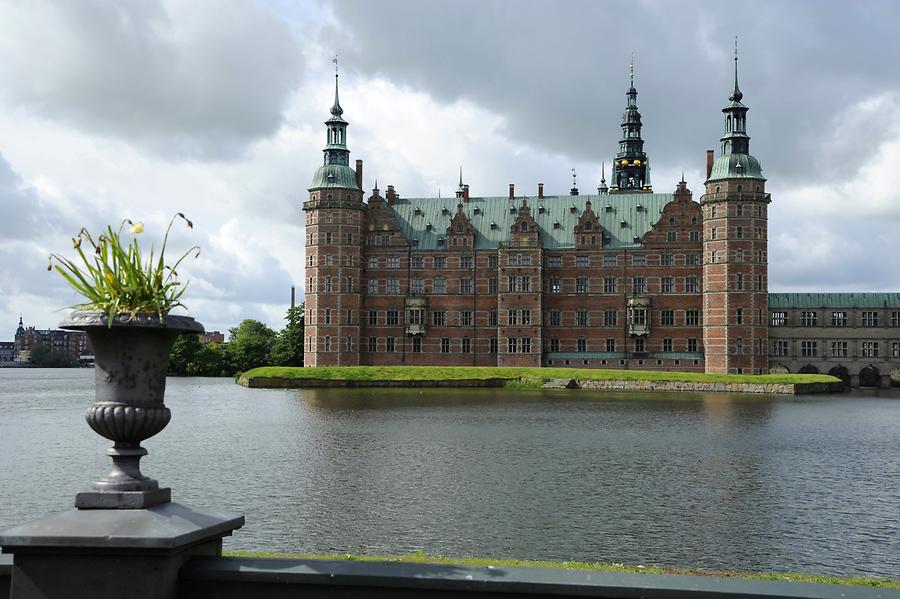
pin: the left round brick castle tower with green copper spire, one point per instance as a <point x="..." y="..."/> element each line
<point x="334" y="238"/>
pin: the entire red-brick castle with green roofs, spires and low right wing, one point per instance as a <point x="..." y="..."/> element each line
<point x="624" y="278"/>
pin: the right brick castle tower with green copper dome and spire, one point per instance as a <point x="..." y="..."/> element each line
<point x="735" y="257"/>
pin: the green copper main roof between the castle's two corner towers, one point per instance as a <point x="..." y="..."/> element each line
<point x="557" y="209"/>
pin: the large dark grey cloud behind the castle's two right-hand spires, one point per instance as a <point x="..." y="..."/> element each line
<point x="558" y="71"/>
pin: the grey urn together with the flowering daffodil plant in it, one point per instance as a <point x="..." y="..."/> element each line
<point x="126" y="317"/>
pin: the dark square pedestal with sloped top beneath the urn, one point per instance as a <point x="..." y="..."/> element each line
<point x="106" y="554"/>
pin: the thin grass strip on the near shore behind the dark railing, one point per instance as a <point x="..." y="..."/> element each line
<point x="421" y="558"/>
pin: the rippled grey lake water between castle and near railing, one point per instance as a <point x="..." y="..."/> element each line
<point x="703" y="480"/>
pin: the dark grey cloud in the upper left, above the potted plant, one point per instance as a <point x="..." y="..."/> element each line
<point x="196" y="78"/>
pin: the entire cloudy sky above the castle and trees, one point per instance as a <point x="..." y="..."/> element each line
<point x="140" y="109"/>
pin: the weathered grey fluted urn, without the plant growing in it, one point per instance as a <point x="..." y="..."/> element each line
<point x="132" y="358"/>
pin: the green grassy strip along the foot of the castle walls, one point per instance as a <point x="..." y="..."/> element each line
<point x="527" y="377"/>
